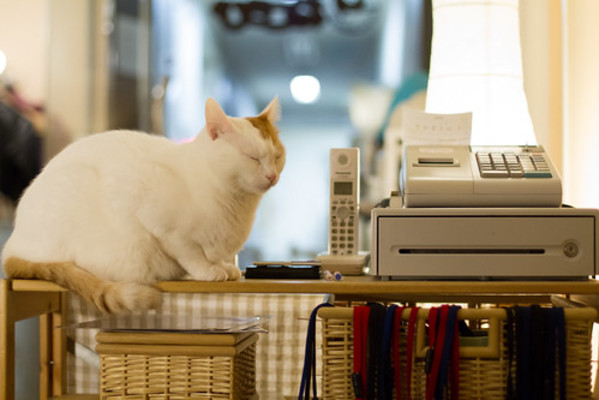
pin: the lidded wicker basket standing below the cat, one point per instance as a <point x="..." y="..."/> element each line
<point x="177" y="366"/>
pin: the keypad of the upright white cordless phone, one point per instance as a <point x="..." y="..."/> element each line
<point x="343" y="238"/>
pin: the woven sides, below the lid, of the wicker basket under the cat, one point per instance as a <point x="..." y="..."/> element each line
<point x="174" y="377"/>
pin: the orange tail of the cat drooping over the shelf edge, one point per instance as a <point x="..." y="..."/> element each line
<point x="107" y="296"/>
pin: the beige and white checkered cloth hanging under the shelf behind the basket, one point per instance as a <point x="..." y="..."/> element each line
<point x="280" y="352"/>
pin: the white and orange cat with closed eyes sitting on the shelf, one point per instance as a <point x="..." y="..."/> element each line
<point x="115" y="212"/>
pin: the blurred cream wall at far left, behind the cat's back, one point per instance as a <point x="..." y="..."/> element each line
<point x="49" y="57"/>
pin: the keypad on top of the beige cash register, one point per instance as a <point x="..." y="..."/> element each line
<point x="512" y="165"/>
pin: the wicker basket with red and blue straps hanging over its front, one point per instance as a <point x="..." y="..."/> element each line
<point x="483" y="368"/>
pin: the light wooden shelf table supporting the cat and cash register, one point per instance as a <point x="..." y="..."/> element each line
<point x="26" y="298"/>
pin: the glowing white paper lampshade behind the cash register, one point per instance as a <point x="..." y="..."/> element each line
<point x="476" y="66"/>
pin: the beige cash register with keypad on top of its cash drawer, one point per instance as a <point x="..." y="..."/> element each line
<point x="481" y="213"/>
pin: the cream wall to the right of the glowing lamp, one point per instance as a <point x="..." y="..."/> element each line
<point x="561" y="79"/>
